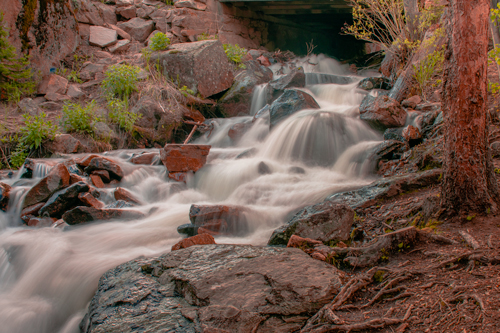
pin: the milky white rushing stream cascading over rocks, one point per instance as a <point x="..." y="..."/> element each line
<point x="48" y="276"/>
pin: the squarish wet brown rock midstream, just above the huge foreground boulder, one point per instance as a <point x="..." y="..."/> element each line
<point x="225" y="220"/>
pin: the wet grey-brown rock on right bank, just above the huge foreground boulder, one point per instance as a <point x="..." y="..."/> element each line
<point x="324" y="222"/>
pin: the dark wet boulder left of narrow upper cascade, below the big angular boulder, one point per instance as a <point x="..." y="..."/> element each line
<point x="238" y="99"/>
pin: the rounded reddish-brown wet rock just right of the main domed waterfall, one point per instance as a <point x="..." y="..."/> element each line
<point x="382" y="112"/>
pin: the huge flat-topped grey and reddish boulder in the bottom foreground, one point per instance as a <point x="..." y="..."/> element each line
<point x="213" y="288"/>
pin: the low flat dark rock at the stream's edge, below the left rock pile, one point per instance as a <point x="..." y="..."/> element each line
<point x="81" y="214"/>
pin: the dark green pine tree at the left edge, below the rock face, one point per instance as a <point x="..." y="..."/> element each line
<point x="14" y="72"/>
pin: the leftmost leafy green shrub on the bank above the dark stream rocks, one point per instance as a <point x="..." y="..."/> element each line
<point x="36" y="129"/>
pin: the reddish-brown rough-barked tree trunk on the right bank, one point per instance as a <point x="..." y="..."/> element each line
<point x="469" y="186"/>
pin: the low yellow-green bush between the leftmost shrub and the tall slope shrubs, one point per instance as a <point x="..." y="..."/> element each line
<point x="77" y="118"/>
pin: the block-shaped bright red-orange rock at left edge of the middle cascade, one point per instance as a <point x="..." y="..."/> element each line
<point x="183" y="158"/>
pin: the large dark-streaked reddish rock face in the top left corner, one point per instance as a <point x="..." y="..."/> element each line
<point x="46" y="30"/>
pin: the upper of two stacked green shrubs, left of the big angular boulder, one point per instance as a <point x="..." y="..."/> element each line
<point x="121" y="80"/>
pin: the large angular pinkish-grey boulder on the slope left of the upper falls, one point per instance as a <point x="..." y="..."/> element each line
<point x="200" y="66"/>
